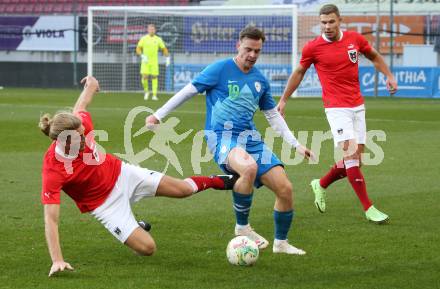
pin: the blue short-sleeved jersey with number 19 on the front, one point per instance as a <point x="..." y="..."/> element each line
<point x="232" y="95"/>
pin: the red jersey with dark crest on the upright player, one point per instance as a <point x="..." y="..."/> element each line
<point x="337" y="66"/>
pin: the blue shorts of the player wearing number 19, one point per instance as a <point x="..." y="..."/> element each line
<point x="260" y="152"/>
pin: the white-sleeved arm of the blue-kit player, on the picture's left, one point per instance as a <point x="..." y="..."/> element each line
<point x="174" y="102"/>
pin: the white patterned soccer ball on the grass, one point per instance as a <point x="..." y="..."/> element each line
<point x="242" y="251"/>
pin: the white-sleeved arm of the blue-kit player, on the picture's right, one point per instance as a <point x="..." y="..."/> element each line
<point x="279" y="125"/>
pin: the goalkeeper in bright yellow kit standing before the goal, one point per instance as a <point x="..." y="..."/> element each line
<point x="148" y="48"/>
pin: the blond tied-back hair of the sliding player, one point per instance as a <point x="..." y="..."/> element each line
<point x="63" y="120"/>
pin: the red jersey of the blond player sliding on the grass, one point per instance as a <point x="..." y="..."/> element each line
<point x="88" y="178"/>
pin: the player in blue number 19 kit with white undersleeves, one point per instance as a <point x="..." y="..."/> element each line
<point x="235" y="89"/>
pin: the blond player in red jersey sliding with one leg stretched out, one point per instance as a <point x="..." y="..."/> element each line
<point x="99" y="183"/>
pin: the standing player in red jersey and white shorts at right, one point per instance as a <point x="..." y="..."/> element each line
<point x="335" y="57"/>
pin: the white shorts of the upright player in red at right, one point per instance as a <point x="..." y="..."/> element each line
<point x="347" y="123"/>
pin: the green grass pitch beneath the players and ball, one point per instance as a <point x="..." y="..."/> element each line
<point x="343" y="249"/>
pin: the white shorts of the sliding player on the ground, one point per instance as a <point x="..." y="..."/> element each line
<point x="133" y="184"/>
